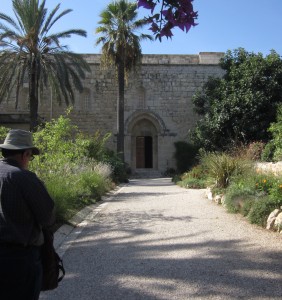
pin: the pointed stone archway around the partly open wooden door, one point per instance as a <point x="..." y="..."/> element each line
<point x="142" y="131"/>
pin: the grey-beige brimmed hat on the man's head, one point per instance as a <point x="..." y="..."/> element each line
<point x="18" y="139"/>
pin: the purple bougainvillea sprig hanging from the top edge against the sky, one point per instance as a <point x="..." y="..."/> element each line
<point x="172" y="13"/>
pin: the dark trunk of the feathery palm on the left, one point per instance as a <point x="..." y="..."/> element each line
<point x="33" y="95"/>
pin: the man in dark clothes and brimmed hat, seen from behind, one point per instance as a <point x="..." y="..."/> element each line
<point x="25" y="208"/>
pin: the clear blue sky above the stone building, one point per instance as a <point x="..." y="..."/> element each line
<point x="255" y="25"/>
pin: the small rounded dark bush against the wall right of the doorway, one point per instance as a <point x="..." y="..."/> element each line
<point x="185" y="155"/>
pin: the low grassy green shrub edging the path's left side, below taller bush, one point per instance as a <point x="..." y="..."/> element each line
<point x="74" y="185"/>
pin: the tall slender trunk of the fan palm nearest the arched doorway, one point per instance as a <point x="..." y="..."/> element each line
<point x="120" y="111"/>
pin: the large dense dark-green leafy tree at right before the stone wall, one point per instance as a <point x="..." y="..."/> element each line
<point x="238" y="108"/>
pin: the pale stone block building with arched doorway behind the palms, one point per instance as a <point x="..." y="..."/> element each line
<point x="158" y="106"/>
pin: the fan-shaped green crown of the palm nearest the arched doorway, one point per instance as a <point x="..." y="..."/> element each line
<point x="117" y="29"/>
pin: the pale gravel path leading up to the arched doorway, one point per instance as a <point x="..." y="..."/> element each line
<point x="155" y="240"/>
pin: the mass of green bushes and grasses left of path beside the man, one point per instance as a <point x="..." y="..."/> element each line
<point x="73" y="165"/>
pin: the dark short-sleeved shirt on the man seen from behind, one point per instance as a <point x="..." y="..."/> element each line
<point x="25" y="205"/>
